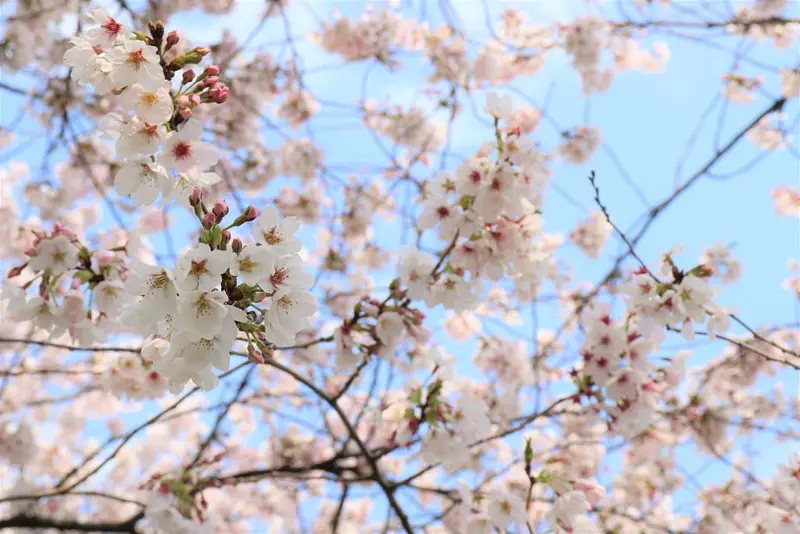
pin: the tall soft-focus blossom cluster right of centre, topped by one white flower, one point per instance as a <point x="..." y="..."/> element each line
<point x="487" y="211"/>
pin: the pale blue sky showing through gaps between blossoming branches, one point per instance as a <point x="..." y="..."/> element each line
<point x="645" y="119"/>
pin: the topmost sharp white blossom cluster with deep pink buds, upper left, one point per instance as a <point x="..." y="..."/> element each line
<point x="163" y="134"/>
